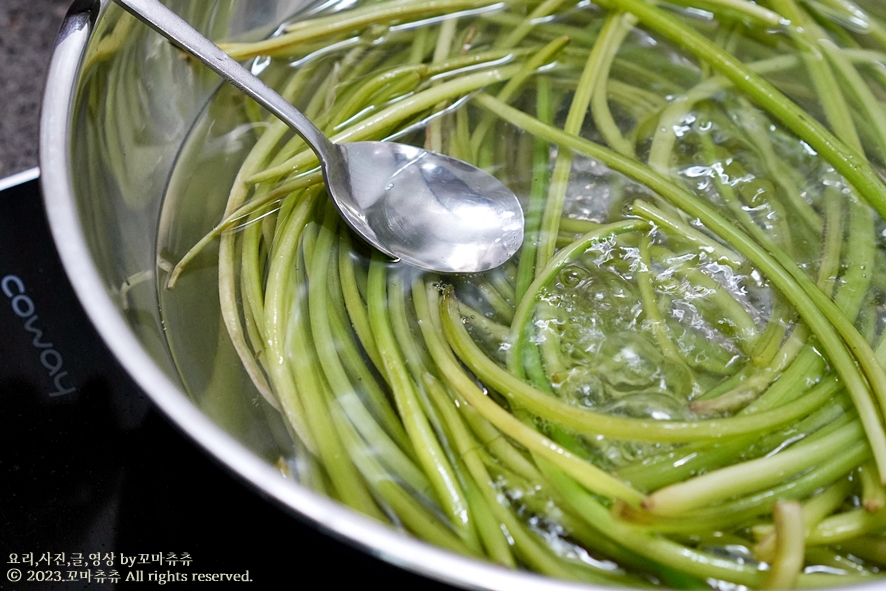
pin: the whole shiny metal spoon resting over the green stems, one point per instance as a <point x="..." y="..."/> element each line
<point x="426" y="209"/>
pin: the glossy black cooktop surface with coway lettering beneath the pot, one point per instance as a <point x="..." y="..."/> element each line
<point x="97" y="486"/>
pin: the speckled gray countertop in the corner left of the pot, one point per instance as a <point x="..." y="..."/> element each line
<point x="27" y="35"/>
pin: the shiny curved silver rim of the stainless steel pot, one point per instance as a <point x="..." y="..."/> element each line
<point x="56" y="177"/>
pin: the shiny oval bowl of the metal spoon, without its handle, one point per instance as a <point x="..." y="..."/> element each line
<point x="428" y="210"/>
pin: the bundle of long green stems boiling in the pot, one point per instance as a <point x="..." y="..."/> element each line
<point x="679" y="379"/>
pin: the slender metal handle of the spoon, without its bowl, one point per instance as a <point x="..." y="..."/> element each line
<point x="174" y="28"/>
